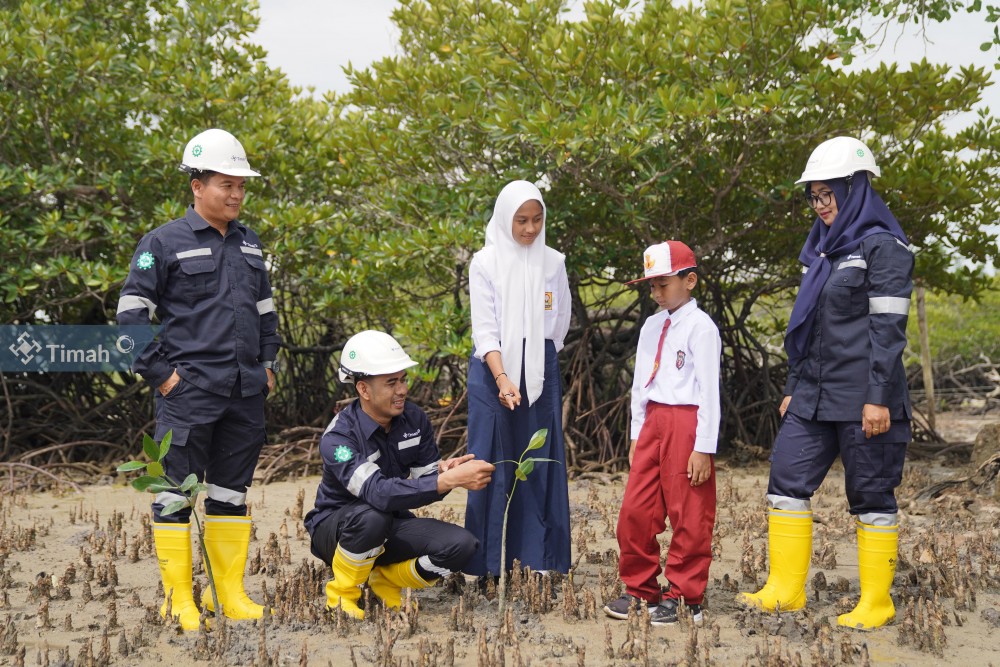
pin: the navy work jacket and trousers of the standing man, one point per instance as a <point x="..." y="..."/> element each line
<point x="213" y="299"/>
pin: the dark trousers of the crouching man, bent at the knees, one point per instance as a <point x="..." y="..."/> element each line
<point x="359" y="528"/>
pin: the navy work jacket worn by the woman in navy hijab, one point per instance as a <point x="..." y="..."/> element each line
<point x="856" y="352"/>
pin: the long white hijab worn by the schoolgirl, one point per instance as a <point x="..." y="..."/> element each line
<point x="518" y="272"/>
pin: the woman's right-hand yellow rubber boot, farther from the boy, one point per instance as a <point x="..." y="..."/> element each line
<point x="877" y="550"/>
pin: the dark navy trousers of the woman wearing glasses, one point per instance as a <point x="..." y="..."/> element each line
<point x="873" y="467"/>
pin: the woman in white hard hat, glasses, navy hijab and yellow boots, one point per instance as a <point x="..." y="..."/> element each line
<point x="846" y="392"/>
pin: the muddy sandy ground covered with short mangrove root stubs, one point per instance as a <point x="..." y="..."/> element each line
<point x="79" y="585"/>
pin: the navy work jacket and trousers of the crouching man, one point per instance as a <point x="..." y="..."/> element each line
<point x="372" y="478"/>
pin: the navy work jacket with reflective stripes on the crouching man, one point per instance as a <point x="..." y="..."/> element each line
<point x="392" y="472"/>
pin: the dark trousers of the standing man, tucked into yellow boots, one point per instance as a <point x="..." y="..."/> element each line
<point x="217" y="438"/>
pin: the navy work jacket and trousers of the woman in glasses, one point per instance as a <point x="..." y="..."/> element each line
<point x="854" y="358"/>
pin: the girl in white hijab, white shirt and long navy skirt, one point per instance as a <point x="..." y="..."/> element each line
<point x="520" y="300"/>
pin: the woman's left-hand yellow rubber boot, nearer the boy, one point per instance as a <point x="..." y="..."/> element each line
<point x="789" y="543"/>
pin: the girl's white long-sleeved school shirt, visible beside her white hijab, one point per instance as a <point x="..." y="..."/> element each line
<point x="487" y="309"/>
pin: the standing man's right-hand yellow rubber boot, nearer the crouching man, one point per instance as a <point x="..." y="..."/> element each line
<point x="227" y="540"/>
